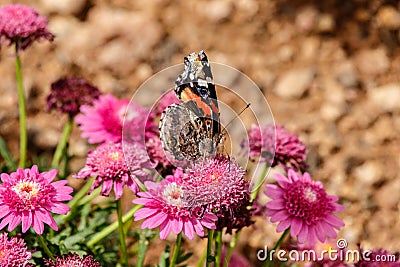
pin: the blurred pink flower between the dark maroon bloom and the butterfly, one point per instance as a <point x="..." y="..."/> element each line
<point x="103" y="122"/>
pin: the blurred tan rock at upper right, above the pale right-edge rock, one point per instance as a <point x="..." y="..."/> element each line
<point x="372" y="61"/>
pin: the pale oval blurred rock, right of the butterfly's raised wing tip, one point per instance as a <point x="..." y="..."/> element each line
<point x="294" y="83"/>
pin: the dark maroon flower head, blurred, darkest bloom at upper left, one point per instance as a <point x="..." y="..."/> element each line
<point x="68" y="94"/>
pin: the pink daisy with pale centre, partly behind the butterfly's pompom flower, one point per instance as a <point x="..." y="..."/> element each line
<point x="165" y="206"/>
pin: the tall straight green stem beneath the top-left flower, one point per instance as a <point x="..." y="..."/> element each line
<point x="23" y="139"/>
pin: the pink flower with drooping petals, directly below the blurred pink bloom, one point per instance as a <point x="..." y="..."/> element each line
<point x="113" y="169"/>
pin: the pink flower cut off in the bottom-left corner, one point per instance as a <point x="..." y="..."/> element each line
<point x="13" y="252"/>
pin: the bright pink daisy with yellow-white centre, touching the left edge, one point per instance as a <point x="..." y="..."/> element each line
<point x="28" y="196"/>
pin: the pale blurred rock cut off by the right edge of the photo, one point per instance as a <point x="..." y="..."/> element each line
<point x="386" y="97"/>
